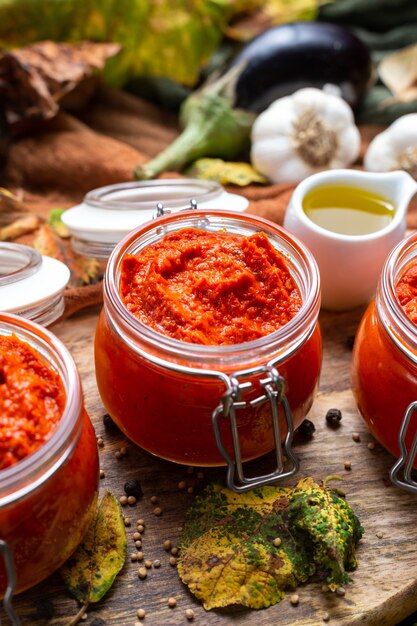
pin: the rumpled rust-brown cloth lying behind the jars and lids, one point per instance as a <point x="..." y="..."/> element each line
<point x="65" y="157"/>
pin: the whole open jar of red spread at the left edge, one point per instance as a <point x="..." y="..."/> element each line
<point x="48" y="455"/>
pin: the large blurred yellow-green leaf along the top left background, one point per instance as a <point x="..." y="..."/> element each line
<point x="158" y="37"/>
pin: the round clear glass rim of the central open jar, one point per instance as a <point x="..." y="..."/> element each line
<point x="292" y="249"/>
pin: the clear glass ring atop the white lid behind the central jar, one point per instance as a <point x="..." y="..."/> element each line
<point x="151" y="190"/>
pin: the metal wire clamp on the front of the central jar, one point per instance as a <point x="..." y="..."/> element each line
<point x="273" y="385"/>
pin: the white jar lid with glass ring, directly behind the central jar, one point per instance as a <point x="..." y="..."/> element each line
<point x="109" y="213"/>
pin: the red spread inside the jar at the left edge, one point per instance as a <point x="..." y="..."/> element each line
<point x="32" y="400"/>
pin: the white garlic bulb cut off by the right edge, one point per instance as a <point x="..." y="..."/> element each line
<point x="395" y="148"/>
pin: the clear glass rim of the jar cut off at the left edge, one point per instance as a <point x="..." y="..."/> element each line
<point x="29" y="473"/>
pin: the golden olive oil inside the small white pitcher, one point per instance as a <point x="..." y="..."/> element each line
<point x="348" y="210"/>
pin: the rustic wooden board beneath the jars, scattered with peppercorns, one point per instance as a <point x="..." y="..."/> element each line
<point x="384" y="587"/>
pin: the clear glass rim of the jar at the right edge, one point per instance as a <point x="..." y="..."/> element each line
<point x="393" y="317"/>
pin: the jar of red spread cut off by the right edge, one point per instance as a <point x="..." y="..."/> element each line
<point x="384" y="366"/>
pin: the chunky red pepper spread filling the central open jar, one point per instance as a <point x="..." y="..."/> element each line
<point x="213" y="288"/>
